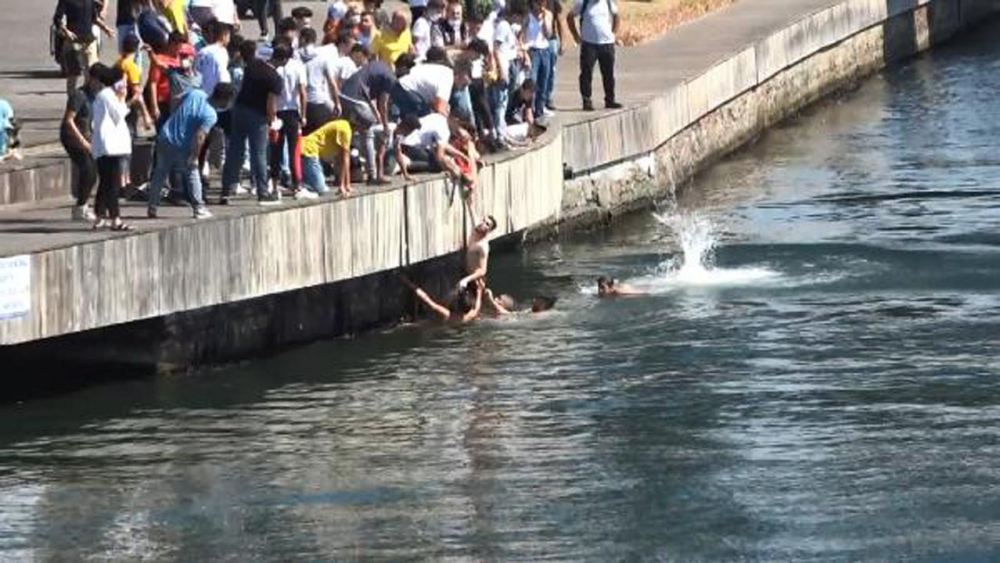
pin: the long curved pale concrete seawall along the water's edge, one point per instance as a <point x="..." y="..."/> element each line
<point x="199" y="292"/>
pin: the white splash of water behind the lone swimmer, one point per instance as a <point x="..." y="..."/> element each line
<point x="695" y="266"/>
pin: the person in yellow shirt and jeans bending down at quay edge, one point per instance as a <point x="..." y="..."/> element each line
<point x="330" y="143"/>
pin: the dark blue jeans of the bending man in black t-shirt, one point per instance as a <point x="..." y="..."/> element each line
<point x="247" y="126"/>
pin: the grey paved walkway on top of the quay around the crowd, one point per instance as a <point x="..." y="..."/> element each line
<point x="28" y="79"/>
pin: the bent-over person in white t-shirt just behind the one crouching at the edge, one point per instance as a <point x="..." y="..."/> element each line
<point x="427" y="87"/>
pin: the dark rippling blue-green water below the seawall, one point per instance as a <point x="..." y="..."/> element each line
<point x="814" y="375"/>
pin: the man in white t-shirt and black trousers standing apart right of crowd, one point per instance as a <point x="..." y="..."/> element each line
<point x="596" y="36"/>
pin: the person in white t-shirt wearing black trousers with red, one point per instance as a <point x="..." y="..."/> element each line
<point x="291" y="113"/>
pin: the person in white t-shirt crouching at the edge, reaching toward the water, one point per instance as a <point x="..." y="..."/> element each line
<point x="423" y="143"/>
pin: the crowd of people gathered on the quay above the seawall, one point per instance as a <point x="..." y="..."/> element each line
<point x="368" y="90"/>
